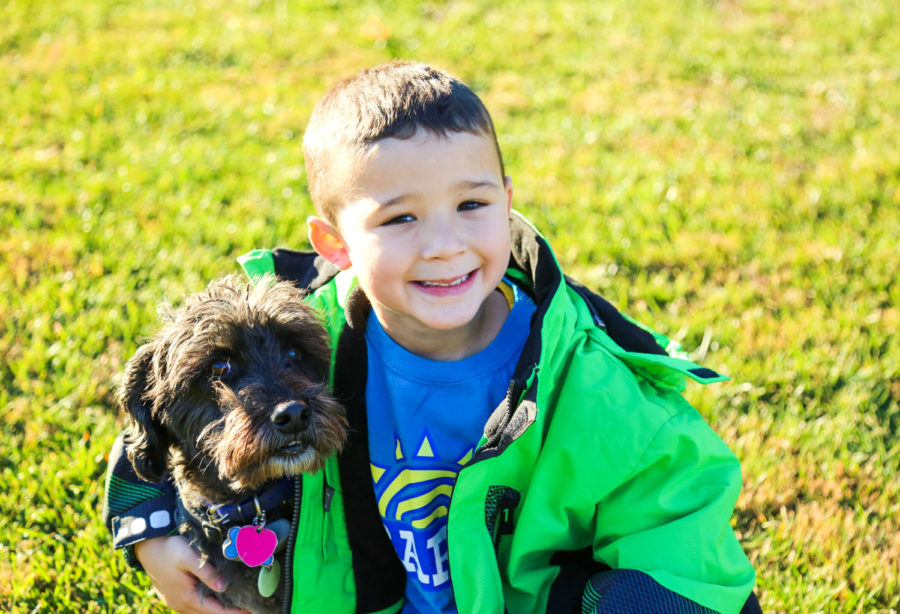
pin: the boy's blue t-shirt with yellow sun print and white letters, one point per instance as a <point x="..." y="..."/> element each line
<point x="425" y="419"/>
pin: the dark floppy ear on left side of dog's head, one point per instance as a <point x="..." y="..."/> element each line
<point x="147" y="443"/>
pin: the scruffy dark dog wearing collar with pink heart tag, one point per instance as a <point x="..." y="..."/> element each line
<point x="230" y="397"/>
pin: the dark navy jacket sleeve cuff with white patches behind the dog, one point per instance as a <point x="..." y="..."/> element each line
<point x="135" y="510"/>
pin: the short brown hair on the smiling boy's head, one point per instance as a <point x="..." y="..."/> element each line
<point x="393" y="100"/>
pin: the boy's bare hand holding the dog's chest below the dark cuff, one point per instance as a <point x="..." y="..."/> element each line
<point x="174" y="569"/>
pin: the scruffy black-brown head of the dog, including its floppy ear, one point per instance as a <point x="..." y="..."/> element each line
<point x="234" y="386"/>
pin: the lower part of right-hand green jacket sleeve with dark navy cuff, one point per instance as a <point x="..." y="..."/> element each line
<point x="670" y="519"/>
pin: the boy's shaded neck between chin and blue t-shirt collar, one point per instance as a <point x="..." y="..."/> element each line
<point x="449" y="345"/>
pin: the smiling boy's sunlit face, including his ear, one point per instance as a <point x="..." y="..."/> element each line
<point x="425" y="226"/>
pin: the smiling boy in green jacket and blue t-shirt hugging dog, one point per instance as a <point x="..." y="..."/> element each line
<point x="509" y="429"/>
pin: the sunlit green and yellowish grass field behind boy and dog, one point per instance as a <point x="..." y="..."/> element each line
<point x="727" y="172"/>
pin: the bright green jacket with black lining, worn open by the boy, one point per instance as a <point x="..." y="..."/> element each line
<point x="594" y="464"/>
